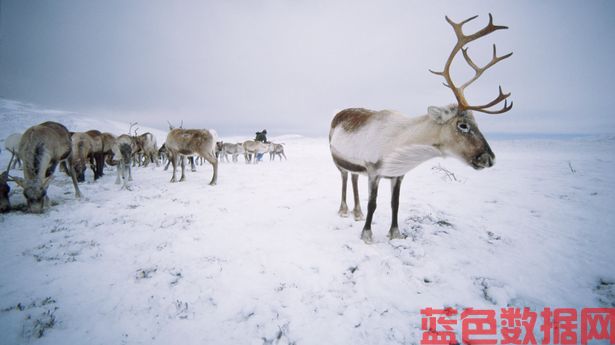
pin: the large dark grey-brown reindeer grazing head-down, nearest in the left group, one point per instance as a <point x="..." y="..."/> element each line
<point x="41" y="148"/>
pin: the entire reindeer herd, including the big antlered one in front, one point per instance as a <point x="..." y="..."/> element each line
<point x="379" y="144"/>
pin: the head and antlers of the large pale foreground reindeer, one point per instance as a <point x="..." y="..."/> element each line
<point x="460" y="135"/>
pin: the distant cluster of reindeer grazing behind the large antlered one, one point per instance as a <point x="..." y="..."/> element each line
<point x="43" y="147"/>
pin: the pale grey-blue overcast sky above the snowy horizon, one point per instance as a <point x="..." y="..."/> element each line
<point x="289" y="66"/>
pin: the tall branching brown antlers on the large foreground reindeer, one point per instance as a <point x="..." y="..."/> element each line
<point x="462" y="40"/>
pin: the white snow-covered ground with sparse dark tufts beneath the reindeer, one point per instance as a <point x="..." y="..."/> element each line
<point x="264" y="258"/>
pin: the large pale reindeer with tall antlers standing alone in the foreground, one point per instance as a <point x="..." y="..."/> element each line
<point x="386" y="144"/>
